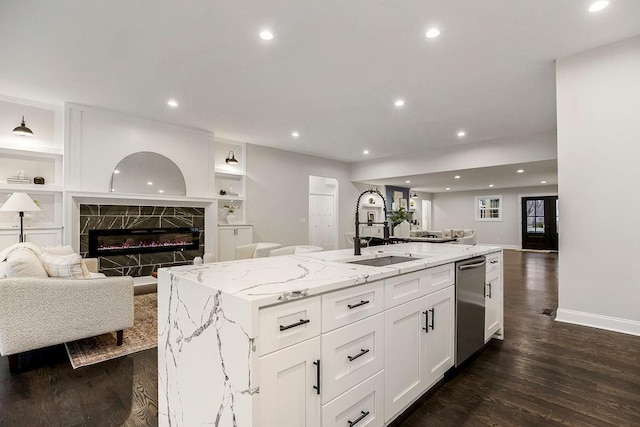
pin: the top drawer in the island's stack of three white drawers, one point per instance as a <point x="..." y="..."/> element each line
<point x="340" y="308"/>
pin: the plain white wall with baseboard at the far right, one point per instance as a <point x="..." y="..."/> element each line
<point x="598" y="95"/>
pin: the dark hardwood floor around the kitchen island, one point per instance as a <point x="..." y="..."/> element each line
<point x="544" y="373"/>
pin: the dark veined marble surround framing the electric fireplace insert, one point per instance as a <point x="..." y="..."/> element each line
<point x="134" y="216"/>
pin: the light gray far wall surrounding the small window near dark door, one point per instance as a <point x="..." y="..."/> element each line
<point x="457" y="210"/>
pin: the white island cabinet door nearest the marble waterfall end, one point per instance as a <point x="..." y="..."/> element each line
<point x="287" y="380"/>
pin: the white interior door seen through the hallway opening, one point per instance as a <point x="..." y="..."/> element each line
<point x="322" y="220"/>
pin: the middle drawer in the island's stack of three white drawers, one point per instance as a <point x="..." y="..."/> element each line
<point x="351" y="354"/>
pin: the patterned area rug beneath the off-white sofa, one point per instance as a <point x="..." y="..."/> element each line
<point x="142" y="336"/>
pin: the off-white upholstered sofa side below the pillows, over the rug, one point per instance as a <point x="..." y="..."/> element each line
<point x="37" y="312"/>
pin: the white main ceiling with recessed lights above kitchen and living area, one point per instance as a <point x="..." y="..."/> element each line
<point x="332" y="71"/>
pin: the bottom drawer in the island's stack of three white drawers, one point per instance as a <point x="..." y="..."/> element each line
<point x="363" y="402"/>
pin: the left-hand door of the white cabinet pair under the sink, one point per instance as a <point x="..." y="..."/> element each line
<point x="405" y="347"/>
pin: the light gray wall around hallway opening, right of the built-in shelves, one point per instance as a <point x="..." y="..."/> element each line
<point x="278" y="194"/>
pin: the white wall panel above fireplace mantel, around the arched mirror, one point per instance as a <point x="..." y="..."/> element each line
<point x="98" y="139"/>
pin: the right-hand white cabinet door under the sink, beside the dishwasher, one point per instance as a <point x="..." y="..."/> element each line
<point x="440" y="333"/>
